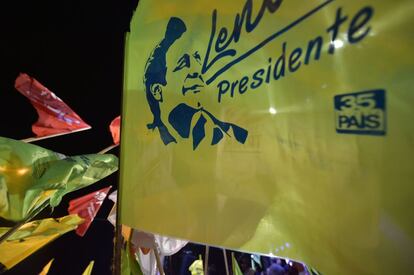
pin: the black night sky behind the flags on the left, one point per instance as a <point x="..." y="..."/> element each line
<point x="75" y="48"/>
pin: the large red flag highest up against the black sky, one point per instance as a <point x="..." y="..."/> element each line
<point x="55" y="117"/>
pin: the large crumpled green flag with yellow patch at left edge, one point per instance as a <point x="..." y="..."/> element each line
<point x="31" y="175"/>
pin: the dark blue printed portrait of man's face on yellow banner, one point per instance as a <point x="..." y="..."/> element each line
<point x="190" y="115"/>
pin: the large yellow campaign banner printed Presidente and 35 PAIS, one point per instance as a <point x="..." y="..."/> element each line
<point x="273" y="126"/>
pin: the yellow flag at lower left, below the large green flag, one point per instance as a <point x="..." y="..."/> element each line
<point x="32" y="236"/>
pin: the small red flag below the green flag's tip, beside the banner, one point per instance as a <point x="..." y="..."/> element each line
<point x="87" y="207"/>
